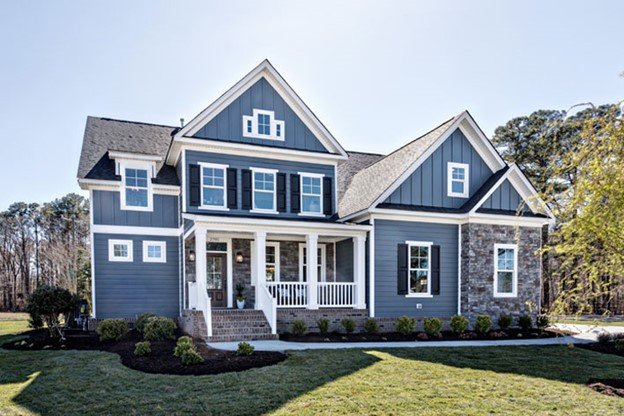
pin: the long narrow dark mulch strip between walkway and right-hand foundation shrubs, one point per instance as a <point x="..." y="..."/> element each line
<point x="416" y="336"/>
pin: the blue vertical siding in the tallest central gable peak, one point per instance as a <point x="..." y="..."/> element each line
<point x="228" y="125"/>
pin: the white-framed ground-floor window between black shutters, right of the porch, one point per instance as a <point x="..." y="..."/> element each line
<point x="419" y="268"/>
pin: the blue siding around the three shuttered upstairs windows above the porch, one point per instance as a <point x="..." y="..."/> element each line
<point x="243" y="162"/>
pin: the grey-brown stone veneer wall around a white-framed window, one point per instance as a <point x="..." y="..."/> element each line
<point x="477" y="270"/>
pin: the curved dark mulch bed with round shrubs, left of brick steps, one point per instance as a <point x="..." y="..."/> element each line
<point x="160" y="361"/>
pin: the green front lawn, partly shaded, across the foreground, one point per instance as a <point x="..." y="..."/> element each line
<point x="424" y="381"/>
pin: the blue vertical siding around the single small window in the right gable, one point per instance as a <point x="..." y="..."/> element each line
<point x="427" y="185"/>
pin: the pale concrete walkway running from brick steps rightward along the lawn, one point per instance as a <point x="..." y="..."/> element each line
<point x="585" y="334"/>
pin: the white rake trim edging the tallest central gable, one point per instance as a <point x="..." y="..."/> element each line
<point x="267" y="71"/>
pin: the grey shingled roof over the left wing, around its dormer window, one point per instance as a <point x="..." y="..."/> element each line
<point x="104" y="135"/>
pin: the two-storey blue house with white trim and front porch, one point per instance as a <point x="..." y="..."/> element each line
<point x="244" y="192"/>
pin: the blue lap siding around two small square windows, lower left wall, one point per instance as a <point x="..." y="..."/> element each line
<point x="127" y="289"/>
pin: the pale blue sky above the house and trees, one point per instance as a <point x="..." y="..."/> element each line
<point x="376" y="73"/>
